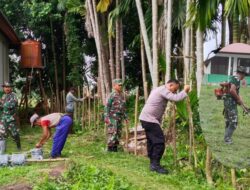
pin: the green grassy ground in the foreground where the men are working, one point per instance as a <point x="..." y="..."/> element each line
<point x="89" y="149"/>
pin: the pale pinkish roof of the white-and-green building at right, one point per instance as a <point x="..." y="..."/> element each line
<point x="236" y="48"/>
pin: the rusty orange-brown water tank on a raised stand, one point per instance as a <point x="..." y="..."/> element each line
<point x="31" y="56"/>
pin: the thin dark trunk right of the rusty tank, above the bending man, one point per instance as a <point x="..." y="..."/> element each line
<point x="55" y="64"/>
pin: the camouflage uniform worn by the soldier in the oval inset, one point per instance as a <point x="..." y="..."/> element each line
<point x="230" y="110"/>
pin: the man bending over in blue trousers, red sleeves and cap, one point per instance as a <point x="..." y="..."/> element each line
<point x="61" y="122"/>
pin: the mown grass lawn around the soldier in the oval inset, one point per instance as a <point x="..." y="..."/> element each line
<point x="236" y="155"/>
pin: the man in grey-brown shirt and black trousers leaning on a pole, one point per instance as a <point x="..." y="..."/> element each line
<point x="151" y="117"/>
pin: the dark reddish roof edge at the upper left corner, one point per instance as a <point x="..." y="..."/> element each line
<point x="8" y="31"/>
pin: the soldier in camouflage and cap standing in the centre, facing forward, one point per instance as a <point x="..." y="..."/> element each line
<point x="115" y="113"/>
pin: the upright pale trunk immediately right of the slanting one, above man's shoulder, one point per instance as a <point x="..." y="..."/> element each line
<point x="155" y="78"/>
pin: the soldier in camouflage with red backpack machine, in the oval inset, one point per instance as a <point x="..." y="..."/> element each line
<point x="231" y="99"/>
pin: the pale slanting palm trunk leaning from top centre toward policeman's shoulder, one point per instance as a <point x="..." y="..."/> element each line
<point x="145" y="36"/>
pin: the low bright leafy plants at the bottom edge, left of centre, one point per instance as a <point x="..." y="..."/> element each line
<point x="81" y="176"/>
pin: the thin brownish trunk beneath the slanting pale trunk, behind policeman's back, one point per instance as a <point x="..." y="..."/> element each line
<point x="145" y="86"/>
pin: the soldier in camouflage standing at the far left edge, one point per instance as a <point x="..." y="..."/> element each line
<point x="8" y="106"/>
